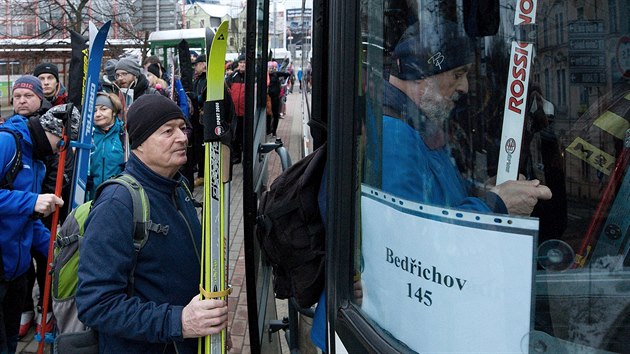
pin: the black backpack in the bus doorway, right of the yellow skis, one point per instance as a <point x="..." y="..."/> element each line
<point x="291" y="232"/>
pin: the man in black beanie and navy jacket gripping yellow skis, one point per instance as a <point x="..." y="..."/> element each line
<point x="163" y="313"/>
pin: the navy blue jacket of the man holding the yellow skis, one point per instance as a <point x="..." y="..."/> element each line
<point x="166" y="275"/>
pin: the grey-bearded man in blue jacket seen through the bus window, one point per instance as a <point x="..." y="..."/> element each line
<point x="428" y="75"/>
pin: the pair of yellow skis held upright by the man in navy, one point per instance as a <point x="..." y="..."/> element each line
<point x="214" y="253"/>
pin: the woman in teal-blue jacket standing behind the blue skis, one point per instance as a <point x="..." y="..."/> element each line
<point x="107" y="158"/>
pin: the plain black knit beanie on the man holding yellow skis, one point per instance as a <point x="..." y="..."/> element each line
<point x="147" y="114"/>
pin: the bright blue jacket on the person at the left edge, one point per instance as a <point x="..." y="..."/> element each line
<point x="18" y="231"/>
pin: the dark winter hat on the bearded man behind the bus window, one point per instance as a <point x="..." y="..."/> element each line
<point x="421" y="53"/>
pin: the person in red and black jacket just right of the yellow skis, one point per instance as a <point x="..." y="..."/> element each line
<point x="236" y="84"/>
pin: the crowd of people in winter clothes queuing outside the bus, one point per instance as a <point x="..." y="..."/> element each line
<point x="145" y="126"/>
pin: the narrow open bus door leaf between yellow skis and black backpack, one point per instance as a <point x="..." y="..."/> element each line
<point x="261" y="304"/>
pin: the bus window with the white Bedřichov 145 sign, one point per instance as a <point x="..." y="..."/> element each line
<point x="494" y="185"/>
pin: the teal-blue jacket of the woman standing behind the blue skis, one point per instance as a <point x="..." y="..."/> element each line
<point x="107" y="158"/>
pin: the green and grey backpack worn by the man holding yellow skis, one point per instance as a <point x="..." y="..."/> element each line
<point x="66" y="251"/>
